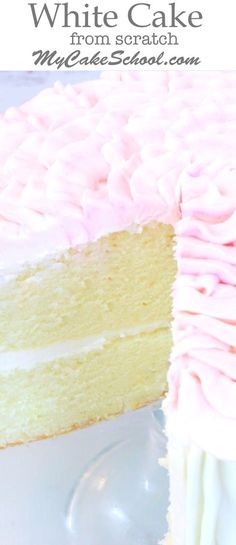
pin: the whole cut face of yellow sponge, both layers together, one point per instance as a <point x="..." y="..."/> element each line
<point x="116" y="291"/>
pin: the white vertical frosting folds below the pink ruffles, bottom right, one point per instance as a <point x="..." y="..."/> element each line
<point x="203" y="498"/>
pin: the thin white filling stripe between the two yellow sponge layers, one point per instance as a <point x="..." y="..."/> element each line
<point x="28" y="359"/>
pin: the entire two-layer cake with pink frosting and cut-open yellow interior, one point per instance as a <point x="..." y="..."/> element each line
<point x="107" y="188"/>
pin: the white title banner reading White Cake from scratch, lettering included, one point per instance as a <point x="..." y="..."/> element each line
<point x="118" y="34"/>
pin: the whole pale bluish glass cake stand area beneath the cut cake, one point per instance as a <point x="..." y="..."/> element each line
<point x="98" y="486"/>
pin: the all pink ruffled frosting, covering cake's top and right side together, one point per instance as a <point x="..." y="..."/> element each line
<point x="80" y="162"/>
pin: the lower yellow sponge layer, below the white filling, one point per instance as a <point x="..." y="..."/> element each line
<point x="68" y="393"/>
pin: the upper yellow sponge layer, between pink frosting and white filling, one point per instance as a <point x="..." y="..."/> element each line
<point x="117" y="283"/>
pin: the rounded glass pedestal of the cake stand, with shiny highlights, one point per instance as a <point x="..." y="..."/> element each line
<point x="121" y="497"/>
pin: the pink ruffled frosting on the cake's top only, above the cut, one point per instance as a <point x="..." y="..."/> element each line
<point x="80" y="162"/>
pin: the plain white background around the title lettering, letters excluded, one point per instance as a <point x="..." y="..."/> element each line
<point x="214" y="43"/>
